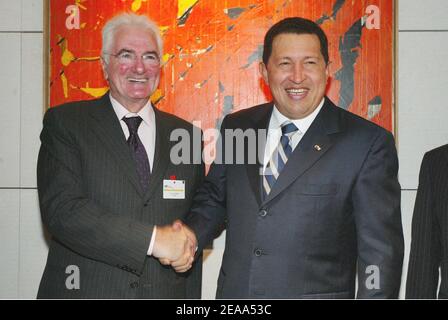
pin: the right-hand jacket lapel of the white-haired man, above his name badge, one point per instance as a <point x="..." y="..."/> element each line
<point x="162" y="153"/>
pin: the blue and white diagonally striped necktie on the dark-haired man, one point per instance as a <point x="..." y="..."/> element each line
<point x="279" y="158"/>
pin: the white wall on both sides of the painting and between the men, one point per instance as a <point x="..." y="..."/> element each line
<point x="421" y="114"/>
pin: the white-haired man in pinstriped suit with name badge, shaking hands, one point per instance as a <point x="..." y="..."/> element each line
<point x="106" y="180"/>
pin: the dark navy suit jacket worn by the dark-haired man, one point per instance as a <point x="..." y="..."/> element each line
<point x="331" y="212"/>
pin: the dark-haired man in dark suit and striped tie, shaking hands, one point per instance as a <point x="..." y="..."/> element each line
<point x="321" y="205"/>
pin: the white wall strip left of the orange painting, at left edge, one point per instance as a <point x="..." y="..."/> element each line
<point x="22" y="245"/>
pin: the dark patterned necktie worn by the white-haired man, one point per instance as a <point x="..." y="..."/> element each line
<point x="138" y="151"/>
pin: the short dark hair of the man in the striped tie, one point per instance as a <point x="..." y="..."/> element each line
<point x="298" y="26"/>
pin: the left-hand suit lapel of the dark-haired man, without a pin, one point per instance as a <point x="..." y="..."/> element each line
<point x="253" y="170"/>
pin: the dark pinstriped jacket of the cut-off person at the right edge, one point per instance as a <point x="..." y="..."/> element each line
<point x="429" y="247"/>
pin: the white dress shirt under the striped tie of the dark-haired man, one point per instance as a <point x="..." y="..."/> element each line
<point x="275" y="130"/>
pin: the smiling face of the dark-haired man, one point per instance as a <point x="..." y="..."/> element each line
<point x="296" y="74"/>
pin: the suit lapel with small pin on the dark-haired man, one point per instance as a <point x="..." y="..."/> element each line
<point x="314" y="144"/>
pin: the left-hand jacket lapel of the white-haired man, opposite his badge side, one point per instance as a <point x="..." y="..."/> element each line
<point x="107" y="128"/>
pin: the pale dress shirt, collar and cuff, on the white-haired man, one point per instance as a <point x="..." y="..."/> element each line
<point x="146" y="132"/>
